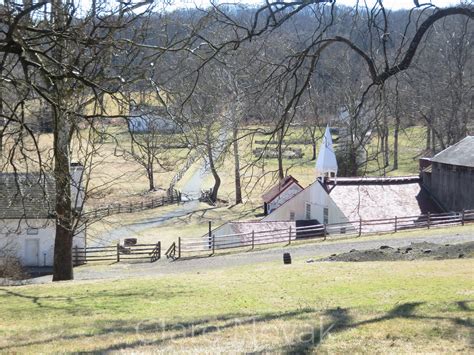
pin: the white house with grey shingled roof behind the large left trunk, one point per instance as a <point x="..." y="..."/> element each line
<point x="27" y="222"/>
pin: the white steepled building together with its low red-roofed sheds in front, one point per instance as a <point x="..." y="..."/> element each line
<point x="333" y="201"/>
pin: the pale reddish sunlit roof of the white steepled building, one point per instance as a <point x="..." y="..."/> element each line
<point x="378" y="198"/>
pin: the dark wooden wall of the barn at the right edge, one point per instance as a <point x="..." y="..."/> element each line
<point x="453" y="186"/>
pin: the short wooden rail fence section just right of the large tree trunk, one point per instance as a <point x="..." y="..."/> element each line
<point x="117" y="253"/>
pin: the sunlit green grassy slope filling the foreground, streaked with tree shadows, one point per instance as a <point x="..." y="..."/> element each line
<point x="330" y="307"/>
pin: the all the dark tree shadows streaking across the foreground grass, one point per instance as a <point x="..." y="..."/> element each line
<point x="153" y="333"/>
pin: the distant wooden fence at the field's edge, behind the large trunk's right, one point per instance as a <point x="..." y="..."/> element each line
<point x="172" y="197"/>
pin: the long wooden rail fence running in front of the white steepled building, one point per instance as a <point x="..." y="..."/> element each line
<point x="195" y="246"/>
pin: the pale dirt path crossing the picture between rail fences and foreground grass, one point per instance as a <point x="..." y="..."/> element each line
<point x="299" y="254"/>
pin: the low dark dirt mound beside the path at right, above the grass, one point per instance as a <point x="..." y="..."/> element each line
<point x="414" y="251"/>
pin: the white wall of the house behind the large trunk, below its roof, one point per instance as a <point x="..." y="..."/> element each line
<point x="14" y="236"/>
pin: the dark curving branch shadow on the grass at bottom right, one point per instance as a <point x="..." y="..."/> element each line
<point x="340" y="321"/>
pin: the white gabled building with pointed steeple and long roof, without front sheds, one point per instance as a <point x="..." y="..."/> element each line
<point x="333" y="200"/>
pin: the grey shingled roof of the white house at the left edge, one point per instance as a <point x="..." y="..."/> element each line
<point x="26" y="195"/>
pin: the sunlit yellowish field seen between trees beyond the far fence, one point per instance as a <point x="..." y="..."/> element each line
<point x="116" y="177"/>
